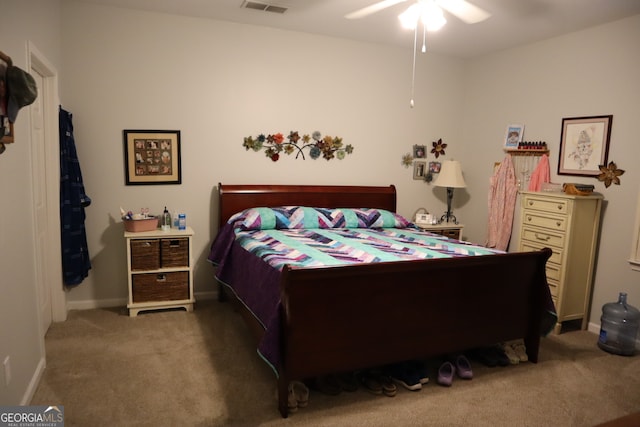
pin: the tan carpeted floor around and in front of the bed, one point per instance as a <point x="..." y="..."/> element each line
<point x="170" y="368"/>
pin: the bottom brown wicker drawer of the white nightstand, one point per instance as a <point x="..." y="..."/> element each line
<point x="160" y="286"/>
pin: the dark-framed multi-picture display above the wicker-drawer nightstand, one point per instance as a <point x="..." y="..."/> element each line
<point x="152" y="157"/>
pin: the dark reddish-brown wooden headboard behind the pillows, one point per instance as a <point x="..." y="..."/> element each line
<point x="235" y="198"/>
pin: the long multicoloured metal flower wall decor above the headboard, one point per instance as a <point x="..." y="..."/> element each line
<point x="328" y="147"/>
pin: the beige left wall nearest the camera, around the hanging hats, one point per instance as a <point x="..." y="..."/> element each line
<point x="37" y="21"/>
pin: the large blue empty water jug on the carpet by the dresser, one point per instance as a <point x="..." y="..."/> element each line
<point x="619" y="327"/>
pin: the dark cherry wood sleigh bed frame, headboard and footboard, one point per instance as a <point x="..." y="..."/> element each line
<point x="344" y="318"/>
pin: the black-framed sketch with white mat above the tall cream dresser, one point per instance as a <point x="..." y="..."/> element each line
<point x="584" y="145"/>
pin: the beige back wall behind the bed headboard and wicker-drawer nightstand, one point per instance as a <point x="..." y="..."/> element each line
<point x="219" y="82"/>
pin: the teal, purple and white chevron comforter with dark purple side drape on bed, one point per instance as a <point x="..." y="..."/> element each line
<point x="251" y="250"/>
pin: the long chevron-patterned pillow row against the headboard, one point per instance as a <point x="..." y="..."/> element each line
<point x="298" y="217"/>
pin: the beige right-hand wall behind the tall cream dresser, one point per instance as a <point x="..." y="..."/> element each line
<point x="588" y="73"/>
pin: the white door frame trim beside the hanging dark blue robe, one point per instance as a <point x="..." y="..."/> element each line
<point x="37" y="61"/>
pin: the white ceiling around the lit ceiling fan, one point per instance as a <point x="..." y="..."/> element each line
<point x="513" y="22"/>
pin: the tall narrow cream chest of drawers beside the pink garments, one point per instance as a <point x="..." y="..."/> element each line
<point x="568" y="225"/>
